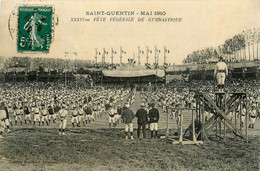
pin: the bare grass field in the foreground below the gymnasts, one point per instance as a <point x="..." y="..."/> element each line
<point x="104" y="149"/>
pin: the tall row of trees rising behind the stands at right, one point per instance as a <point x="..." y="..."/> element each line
<point x="241" y="47"/>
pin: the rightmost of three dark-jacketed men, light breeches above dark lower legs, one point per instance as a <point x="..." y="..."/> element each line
<point x="154" y="119"/>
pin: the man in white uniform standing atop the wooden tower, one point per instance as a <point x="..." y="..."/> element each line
<point x="221" y="72"/>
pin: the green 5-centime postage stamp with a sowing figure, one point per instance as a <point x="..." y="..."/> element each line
<point x="34" y="28"/>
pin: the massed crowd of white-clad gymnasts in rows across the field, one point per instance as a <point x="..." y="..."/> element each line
<point x="25" y="100"/>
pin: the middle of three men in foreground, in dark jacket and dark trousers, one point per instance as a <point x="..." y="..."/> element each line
<point x="142" y="120"/>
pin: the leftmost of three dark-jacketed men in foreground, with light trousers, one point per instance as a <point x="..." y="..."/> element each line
<point x="128" y="117"/>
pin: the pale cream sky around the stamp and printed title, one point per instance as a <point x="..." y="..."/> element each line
<point x="204" y="24"/>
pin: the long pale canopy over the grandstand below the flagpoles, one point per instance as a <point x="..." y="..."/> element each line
<point x="133" y="73"/>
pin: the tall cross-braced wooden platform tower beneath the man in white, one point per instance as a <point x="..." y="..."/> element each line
<point x="226" y="108"/>
